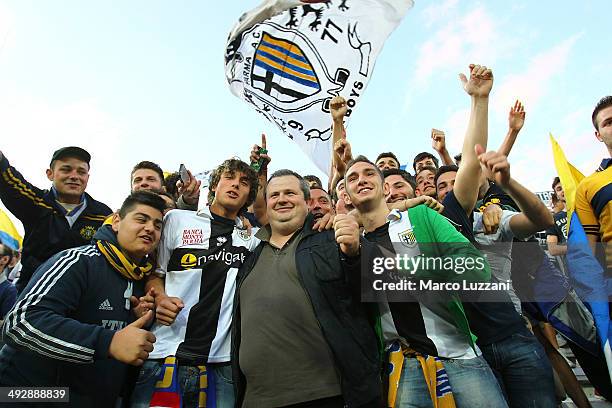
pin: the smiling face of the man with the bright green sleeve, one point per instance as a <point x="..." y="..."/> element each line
<point x="364" y="186"/>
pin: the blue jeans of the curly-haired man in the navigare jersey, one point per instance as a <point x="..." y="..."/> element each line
<point x="188" y="377"/>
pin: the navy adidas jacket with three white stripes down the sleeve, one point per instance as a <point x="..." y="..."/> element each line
<point x="60" y="330"/>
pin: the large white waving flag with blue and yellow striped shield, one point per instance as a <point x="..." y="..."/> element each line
<point x="288" y="62"/>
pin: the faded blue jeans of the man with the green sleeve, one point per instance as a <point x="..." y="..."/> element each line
<point x="472" y="381"/>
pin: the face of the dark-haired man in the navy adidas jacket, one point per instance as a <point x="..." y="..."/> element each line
<point x="138" y="232"/>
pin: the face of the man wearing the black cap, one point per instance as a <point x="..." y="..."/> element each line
<point x="69" y="176"/>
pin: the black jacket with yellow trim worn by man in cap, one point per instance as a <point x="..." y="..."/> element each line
<point x="47" y="231"/>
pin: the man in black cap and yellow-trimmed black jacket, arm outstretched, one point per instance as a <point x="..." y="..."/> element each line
<point x="62" y="217"/>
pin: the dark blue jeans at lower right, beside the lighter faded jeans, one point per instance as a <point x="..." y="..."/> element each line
<point x="523" y="370"/>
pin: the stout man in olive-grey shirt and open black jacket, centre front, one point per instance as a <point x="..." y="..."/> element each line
<point x="300" y="335"/>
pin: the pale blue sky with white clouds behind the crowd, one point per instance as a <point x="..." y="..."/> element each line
<point x="144" y="80"/>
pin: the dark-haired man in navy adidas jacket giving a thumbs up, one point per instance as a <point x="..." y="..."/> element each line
<point x="73" y="325"/>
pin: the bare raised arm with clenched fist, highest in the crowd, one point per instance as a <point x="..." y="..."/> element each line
<point x="478" y="86"/>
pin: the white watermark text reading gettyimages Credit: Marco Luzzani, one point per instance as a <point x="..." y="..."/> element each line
<point x="402" y="269"/>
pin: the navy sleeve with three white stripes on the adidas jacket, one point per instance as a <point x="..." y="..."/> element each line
<point x="39" y="321"/>
